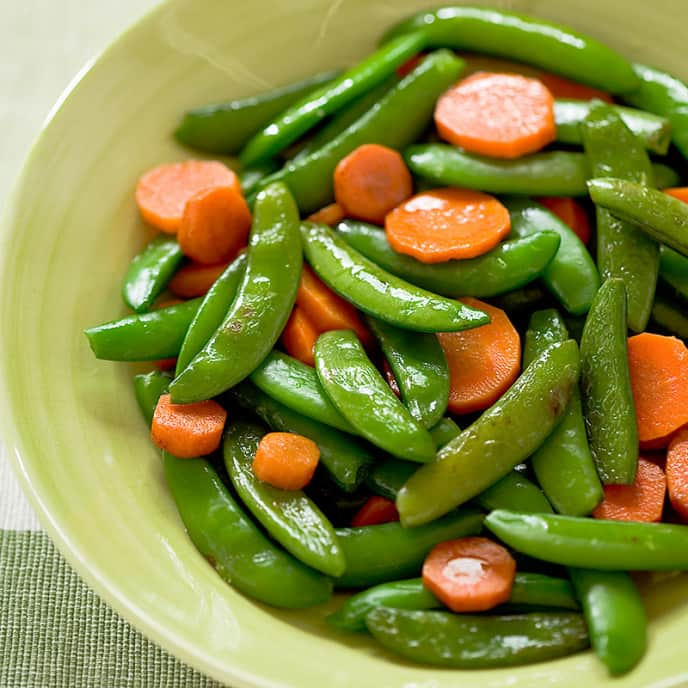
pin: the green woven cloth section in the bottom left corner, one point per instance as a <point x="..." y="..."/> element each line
<point x="56" y="633"/>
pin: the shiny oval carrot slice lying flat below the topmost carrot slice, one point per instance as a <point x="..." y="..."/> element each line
<point x="444" y="224"/>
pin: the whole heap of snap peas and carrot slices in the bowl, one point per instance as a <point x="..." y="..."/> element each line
<point x="400" y="359"/>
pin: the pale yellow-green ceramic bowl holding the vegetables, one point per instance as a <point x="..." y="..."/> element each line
<point x="73" y="430"/>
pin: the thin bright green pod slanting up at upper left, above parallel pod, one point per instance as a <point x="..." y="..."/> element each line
<point x="303" y="115"/>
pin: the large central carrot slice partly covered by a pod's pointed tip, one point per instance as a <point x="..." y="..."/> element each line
<point x="483" y="362"/>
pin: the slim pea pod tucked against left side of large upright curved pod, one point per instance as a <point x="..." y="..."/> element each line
<point x="211" y="312"/>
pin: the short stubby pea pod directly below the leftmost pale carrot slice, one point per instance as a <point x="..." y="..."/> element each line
<point x="149" y="272"/>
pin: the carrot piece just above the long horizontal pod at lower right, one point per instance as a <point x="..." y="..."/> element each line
<point x="641" y="501"/>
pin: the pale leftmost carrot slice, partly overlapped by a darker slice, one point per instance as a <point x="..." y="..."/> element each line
<point x="162" y="192"/>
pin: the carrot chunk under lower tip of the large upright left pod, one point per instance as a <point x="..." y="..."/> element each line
<point x="188" y="430"/>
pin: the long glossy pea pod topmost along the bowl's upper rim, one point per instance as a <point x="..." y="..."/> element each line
<point x="553" y="47"/>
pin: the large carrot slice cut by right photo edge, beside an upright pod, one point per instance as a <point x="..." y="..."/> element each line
<point x="658" y="367"/>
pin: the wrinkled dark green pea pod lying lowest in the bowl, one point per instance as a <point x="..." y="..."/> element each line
<point x="469" y="641"/>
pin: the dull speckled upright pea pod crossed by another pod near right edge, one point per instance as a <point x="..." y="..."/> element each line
<point x="623" y="250"/>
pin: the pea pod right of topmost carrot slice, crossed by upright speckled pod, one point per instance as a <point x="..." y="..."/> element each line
<point x="652" y="130"/>
